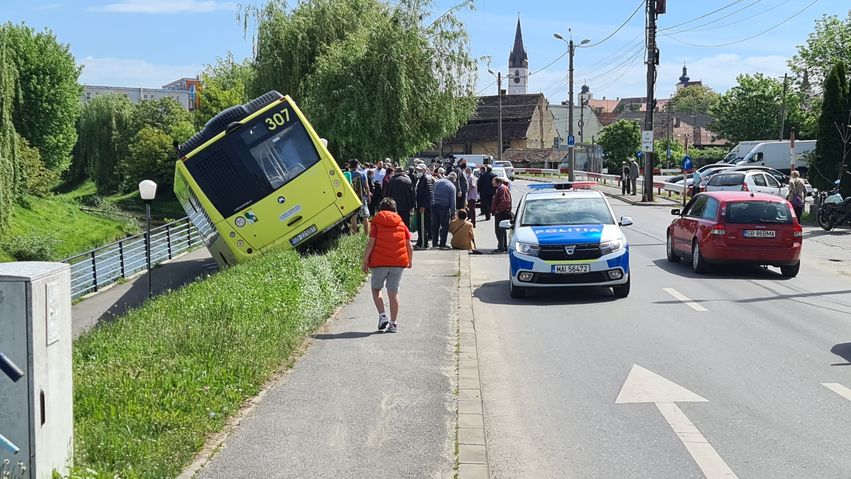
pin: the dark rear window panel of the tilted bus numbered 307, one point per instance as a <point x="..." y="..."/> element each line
<point x="267" y="153"/>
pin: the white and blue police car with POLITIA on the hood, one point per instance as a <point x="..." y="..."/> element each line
<point x="563" y="237"/>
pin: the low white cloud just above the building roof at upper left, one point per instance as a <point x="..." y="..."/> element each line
<point x="132" y="72"/>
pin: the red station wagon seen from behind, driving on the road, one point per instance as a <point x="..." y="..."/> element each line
<point x="736" y="227"/>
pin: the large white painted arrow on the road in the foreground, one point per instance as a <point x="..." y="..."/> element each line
<point x="644" y="386"/>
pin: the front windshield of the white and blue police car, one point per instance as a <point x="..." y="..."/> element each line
<point x="566" y="211"/>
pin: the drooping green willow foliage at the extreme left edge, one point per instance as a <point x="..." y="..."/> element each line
<point x="9" y="161"/>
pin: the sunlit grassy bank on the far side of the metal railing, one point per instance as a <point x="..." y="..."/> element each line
<point x="74" y="221"/>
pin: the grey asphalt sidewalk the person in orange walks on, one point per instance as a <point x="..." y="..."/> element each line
<point x="361" y="403"/>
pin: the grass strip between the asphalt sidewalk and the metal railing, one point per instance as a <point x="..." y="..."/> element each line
<point x="153" y="385"/>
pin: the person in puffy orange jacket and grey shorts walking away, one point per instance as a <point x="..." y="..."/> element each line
<point x="388" y="253"/>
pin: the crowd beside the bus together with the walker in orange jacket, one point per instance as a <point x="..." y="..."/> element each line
<point x="435" y="200"/>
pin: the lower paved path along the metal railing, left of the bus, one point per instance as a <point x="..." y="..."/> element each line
<point x="121" y="297"/>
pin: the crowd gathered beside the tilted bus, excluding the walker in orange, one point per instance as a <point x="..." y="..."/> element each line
<point x="433" y="200"/>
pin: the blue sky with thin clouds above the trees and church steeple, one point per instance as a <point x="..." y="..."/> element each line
<point x="148" y="43"/>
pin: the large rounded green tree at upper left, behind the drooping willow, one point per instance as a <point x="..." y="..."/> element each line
<point x="50" y="93"/>
